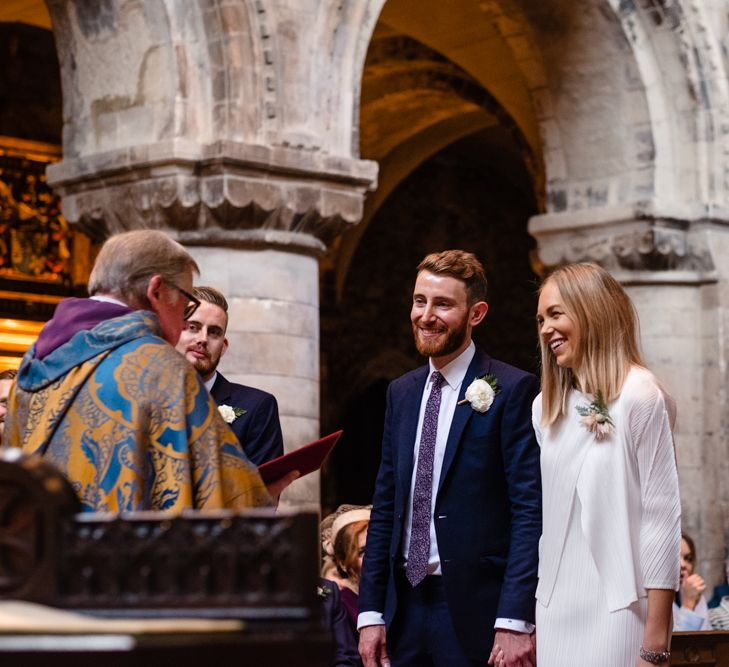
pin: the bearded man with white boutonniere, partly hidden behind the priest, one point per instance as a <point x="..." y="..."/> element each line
<point x="251" y="413"/>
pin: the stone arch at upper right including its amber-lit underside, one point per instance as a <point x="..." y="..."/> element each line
<point x="667" y="89"/>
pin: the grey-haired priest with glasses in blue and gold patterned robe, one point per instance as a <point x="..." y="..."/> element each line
<point x="104" y="396"/>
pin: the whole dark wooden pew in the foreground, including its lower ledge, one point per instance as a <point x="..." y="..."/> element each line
<point x="259" y="567"/>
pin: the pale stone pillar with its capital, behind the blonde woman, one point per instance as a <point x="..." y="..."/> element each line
<point x="665" y="259"/>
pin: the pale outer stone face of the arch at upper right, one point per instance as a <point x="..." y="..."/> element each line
<point x="686" y="90"/>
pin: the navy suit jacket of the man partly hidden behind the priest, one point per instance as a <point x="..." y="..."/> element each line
<point x="258" y="430"/>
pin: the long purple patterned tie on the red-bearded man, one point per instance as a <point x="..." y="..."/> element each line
<point x="419" y="549"/>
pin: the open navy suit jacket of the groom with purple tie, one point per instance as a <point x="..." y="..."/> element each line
<point x="488" y="516"/>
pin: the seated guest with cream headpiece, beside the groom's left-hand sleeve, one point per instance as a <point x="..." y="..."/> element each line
<point x="345" y="548"/>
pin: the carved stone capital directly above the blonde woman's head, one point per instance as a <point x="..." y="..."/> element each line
<point x="638" y="243"/>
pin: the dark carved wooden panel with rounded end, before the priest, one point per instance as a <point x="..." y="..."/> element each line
<point x="256" y="565"/>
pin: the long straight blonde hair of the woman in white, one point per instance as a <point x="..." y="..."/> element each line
<point x="607" y="343"/>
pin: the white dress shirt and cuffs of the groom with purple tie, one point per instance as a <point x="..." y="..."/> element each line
<point x="453" y="373"/>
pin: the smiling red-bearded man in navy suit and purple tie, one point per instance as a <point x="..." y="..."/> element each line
<point x="450" y="565"/>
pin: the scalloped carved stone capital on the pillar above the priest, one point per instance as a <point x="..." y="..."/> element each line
<point x="233" y="193"/>
